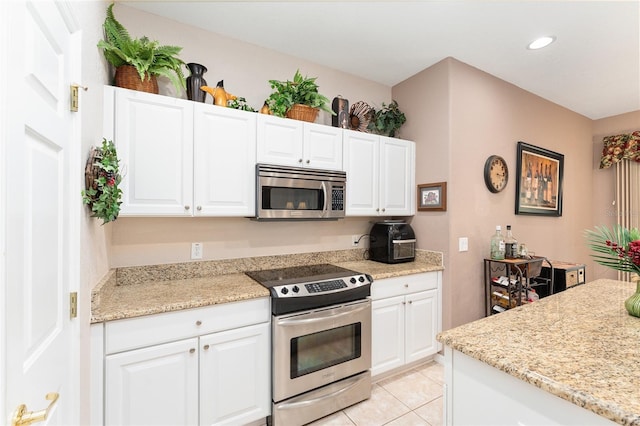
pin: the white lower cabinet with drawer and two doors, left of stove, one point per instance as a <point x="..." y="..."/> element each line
<point x="218" y="373"/>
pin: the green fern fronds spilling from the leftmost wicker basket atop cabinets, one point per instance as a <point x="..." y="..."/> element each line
<point x="148" y="57"/>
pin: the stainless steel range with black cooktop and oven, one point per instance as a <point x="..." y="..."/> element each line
<point x="321" y="340"/>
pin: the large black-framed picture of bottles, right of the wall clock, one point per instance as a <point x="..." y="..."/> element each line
<point x="538" y="181"/>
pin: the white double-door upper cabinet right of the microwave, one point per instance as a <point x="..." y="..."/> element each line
<point x="380" y="175"/>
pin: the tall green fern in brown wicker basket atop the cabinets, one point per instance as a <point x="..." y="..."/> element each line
<point x="139" y="61"/>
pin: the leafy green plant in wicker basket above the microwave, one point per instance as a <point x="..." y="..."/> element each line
<point x="298" y="99"/>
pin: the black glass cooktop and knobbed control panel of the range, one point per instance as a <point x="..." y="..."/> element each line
<point x="299" y="288"/>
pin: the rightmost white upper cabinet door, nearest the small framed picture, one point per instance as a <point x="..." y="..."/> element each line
<point x="397" y="177"/>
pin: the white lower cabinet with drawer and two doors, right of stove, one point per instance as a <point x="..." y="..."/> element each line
<point x="405" y="320"/>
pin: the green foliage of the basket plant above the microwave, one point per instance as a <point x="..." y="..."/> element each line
<point x="302" y="90"/>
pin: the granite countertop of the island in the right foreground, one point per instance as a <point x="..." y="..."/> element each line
<point x="580" y="345"/>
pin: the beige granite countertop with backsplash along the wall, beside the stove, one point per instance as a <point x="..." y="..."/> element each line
<point x="137" y="291"/>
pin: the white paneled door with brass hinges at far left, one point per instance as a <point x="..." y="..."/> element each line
<point x="41" y="174"/>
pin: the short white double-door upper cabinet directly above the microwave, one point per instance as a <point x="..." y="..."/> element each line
<point x="299" y="144"/>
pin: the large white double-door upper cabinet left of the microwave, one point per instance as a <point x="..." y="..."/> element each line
<point x="181" y="158"/>
